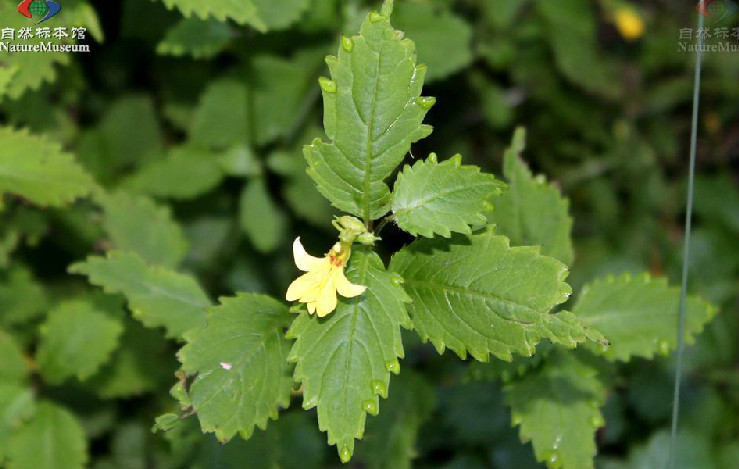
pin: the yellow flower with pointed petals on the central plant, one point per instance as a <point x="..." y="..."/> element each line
<point x="322" y="279"/>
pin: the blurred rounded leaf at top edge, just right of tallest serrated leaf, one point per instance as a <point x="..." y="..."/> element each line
<point x="443" y="39"/>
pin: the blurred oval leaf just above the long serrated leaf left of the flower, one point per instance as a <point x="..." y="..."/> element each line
<point x="136" y="223"/>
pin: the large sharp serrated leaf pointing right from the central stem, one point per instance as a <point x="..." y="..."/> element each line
<point x="481" y="295"/>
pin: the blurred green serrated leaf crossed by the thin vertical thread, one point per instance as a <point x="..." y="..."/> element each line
<point x="639" y="315"/>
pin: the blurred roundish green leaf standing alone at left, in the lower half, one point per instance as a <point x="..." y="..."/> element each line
<point x="76" y="340"/>
